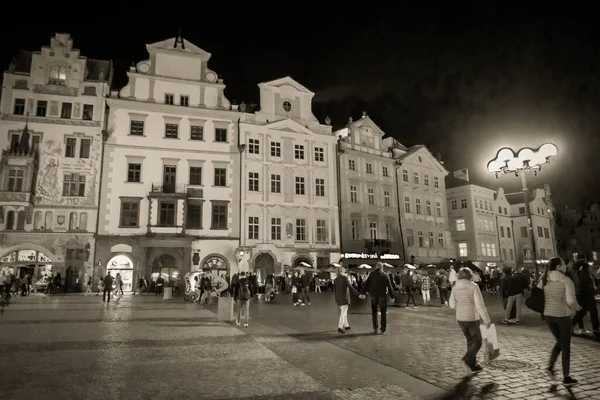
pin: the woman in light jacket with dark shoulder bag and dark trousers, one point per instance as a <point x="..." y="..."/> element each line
<point x="559" y="306"/>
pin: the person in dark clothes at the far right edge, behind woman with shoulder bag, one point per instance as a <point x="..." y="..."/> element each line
<point x="585" y="290"/>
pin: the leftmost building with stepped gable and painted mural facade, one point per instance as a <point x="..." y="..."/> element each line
<point x="51" y="119"/>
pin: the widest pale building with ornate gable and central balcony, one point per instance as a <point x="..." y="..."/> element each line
<point x="170" y="187"/>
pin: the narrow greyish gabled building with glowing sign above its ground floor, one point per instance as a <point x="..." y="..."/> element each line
<point x="370" y="224"/>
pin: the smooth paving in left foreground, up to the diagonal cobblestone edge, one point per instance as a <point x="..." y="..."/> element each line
<point x="76" y="347"/>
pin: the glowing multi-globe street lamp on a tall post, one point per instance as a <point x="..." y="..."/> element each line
<point x="525" y="160"/>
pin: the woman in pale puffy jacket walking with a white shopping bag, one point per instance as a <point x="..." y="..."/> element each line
<point x="470" y="308"/>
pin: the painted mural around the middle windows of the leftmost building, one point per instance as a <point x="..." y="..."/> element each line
<point x="54" y="166"/>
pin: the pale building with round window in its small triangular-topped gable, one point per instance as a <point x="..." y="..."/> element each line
<point x="289" y="207"/>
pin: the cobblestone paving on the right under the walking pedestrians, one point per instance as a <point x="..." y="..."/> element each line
<point x="426" y="343"/>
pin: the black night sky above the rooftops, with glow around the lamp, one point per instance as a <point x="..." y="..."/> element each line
<point x="462" y="77"/>
